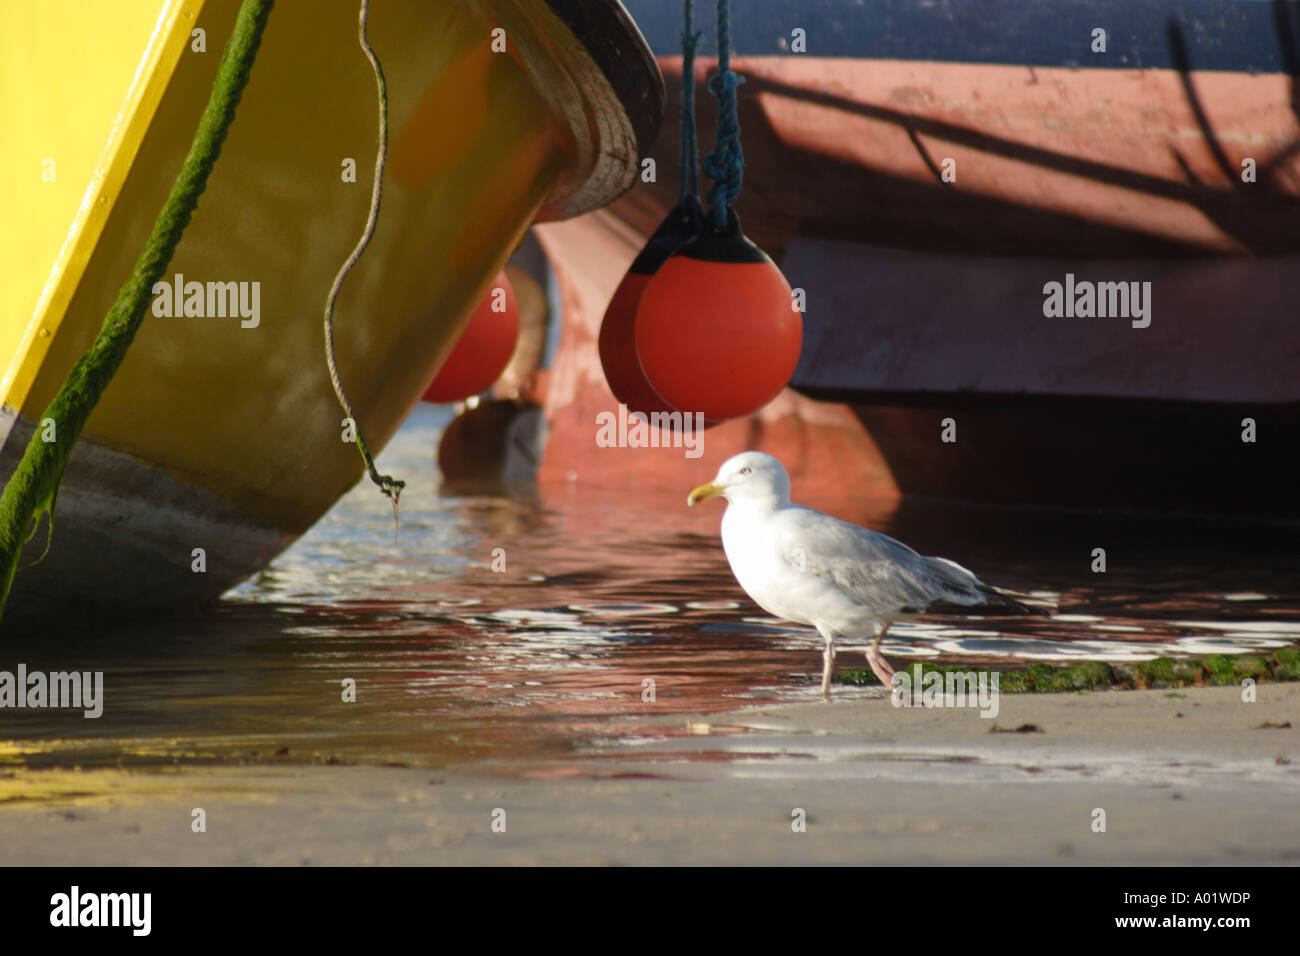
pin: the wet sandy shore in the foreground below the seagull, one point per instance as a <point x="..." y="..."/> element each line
<point x="1185" y="777"/>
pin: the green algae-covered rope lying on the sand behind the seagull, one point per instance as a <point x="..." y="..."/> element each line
<point x="1216" y="671"/>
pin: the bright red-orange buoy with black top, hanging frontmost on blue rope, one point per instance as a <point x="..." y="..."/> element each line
<point x="718" y="331"/>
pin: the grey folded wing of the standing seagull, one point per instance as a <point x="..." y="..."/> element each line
<point x="874" y="570"/>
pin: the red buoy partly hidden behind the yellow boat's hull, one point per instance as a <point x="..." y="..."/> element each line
<point x="484" y="349"/>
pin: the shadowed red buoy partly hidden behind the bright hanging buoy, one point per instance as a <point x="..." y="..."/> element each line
<point x="618" y="345"/>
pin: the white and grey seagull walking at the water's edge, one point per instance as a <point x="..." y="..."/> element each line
<point x="847" y="582"/>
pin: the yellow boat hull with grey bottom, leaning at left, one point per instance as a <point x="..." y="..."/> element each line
<point x="222" y="431"/>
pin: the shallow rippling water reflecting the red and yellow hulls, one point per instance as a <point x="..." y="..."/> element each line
<point x="457" y="664"/>
